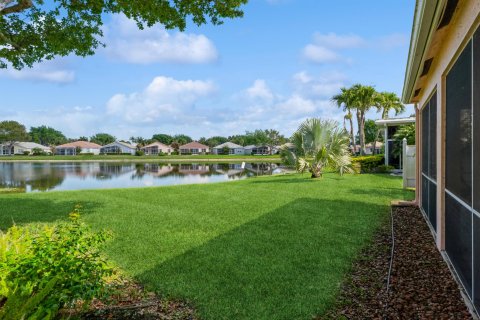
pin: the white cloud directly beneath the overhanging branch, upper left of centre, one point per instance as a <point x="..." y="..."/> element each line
<point x="125" y="42"/>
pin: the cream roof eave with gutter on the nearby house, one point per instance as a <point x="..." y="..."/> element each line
<point x="427" y="15"/>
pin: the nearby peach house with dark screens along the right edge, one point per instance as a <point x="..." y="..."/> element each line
<point x="443" y="81"/>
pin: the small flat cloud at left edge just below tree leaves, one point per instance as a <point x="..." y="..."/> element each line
<point x="55" y="71"/>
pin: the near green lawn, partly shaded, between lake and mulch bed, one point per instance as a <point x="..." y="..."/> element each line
<point x="262" y="248"/>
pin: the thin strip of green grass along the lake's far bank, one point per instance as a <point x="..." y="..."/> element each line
<point x="180" y="158"/>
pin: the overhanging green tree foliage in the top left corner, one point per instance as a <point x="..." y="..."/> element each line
<point x="35" y="30"/>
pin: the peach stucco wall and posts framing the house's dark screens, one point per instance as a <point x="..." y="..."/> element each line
<point x="446" y="46"/>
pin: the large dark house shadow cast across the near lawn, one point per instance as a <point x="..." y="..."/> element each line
<point x="287" y="264"/>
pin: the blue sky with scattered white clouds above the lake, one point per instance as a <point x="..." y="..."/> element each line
<point x="278" y="65"/>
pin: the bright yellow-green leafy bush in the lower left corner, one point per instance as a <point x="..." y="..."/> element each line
<point x="44" y="269"/>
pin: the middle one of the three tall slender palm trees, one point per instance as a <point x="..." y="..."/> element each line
<point x="363" y="98"/>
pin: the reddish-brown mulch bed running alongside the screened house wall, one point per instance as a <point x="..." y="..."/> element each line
<point x="421" y="285"/>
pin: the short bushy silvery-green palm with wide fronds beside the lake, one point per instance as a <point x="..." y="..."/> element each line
<point x="319" y="144"/>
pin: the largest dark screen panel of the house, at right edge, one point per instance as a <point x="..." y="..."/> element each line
<point x="462" y="182"/>
